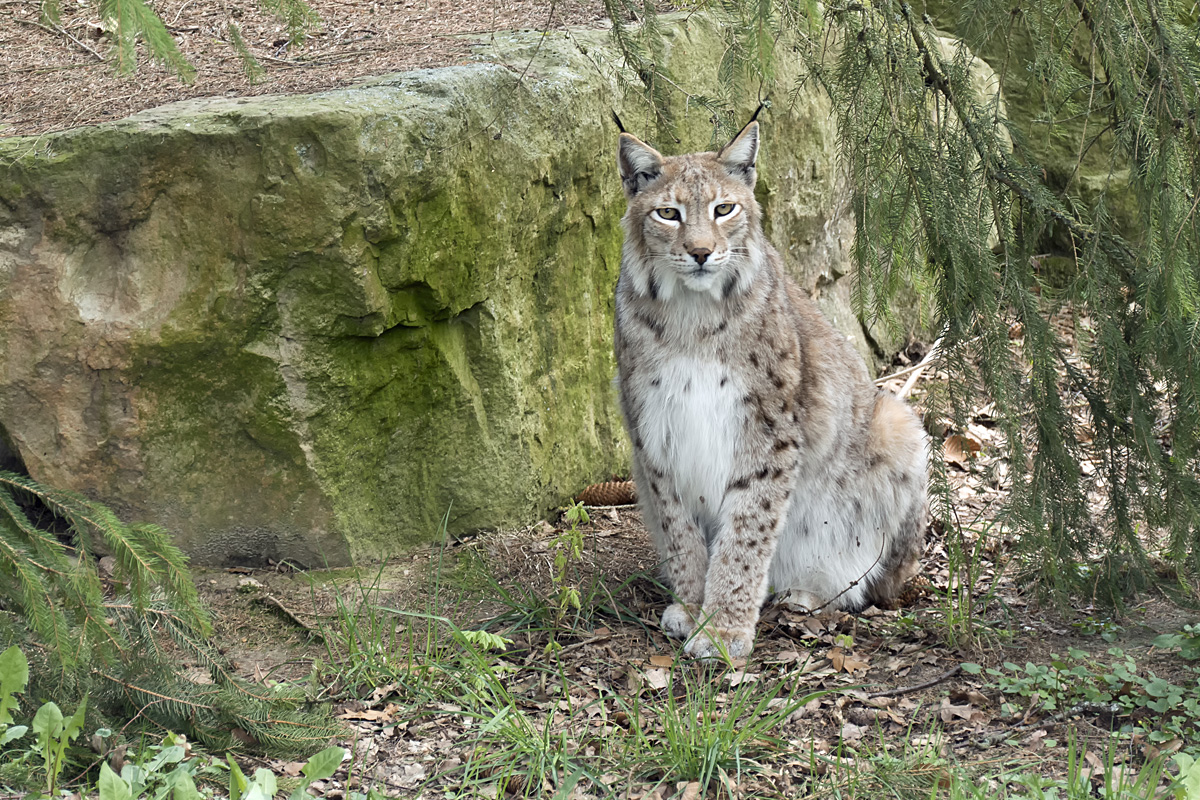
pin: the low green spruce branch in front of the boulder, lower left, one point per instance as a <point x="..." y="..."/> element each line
<point x="121" y="640"/>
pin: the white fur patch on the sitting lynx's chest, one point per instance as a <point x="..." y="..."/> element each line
<point x="692" y="422"/>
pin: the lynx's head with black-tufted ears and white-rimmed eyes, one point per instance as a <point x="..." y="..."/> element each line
<point x="693" y="220"/>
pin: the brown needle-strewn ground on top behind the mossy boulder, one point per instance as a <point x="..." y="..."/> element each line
<point x="56" y="76"/>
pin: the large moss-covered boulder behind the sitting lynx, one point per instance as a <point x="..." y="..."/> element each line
<point x="311" y="328"/>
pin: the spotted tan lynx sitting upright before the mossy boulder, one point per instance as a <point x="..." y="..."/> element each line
<point x="766" y="459"/>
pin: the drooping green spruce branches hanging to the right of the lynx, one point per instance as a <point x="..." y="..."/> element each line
<point x="952" y="195"/>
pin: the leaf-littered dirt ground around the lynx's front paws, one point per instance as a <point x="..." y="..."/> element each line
<point x="895" y="677"/>
